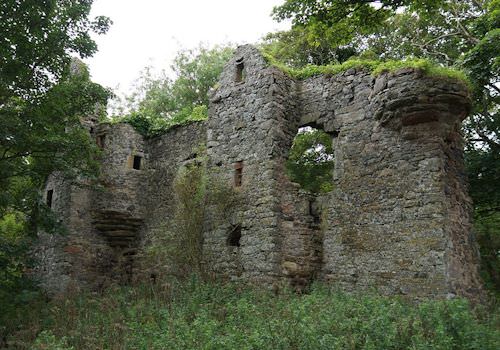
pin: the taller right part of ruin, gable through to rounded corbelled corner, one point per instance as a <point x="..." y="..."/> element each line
<point x="397" y="219"/>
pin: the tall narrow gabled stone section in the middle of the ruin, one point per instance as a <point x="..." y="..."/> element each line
<point x="245" y="130"/>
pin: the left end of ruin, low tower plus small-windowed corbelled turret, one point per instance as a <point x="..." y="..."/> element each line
<point x="101" y="219"/>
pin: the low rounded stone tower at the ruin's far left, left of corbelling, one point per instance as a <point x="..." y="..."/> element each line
<point x="78" y="257"/>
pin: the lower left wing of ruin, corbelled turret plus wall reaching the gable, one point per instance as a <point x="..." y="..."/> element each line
<point x="108" y="221"/>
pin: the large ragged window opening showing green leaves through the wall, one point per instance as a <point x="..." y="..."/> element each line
<point x="311" y="160"/>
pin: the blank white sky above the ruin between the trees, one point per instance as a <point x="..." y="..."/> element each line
<point x="150" y="32"/>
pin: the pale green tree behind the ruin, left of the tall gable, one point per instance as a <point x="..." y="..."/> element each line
<point x="160" y="102"/>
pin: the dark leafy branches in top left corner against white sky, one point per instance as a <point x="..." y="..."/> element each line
<point x="37" y="38"/>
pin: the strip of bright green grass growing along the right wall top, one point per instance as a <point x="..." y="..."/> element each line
<point x="376" y="67"/>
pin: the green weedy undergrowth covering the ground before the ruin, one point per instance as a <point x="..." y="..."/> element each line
<point x="199" y="315"/>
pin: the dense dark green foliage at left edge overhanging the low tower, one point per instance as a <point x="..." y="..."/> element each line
<point x="41" y="137"/>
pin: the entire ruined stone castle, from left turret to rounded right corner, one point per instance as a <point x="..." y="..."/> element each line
<point x="398" y="219"/>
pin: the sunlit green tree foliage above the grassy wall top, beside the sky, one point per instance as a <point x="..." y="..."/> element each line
<point x="326" y="32"/>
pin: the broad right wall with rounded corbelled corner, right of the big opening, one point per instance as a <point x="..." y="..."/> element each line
<point x="388" y="216"/>
